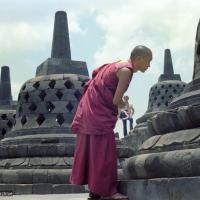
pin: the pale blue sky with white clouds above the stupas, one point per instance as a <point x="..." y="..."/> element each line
<point x="101" y="31"/>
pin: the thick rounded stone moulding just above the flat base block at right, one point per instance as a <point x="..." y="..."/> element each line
<point x="178" y="163"/>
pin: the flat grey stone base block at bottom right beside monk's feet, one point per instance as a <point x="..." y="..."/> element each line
<point x="186" y="188"/>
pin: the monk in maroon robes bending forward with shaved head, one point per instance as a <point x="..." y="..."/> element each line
<point x="95" y="158"/>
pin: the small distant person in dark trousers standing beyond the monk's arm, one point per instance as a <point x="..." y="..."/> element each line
<point x="126" y="115"/>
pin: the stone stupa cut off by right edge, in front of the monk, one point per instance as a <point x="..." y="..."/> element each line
<point x="167" y="164"/>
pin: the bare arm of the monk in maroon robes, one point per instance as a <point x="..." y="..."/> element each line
<point x="124" y="75"/>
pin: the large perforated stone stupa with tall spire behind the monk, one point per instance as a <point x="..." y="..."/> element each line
<point x="37" y="155"/>
